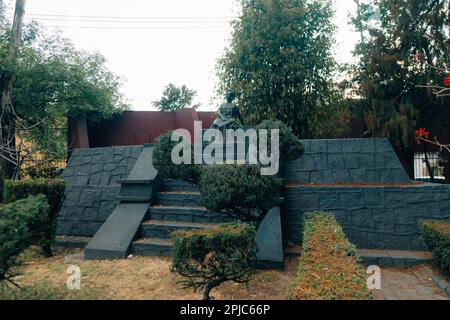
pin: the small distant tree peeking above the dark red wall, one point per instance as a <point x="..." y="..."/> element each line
<point x="175" y="98"/>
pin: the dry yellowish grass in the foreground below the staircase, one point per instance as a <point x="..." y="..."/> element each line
<point x="135" y="278"/>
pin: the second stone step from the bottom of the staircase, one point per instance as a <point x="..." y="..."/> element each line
<point x="163" y="229"/>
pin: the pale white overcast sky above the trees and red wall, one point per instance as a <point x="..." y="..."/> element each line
<point x="175" y="41"/>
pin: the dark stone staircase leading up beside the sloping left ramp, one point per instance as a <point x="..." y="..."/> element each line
<point x="177" y="206"/>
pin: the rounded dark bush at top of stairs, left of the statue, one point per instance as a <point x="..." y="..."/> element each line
<point x="166" y="168"/>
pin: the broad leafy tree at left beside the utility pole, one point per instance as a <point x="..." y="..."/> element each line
<point x="53" y="80"/>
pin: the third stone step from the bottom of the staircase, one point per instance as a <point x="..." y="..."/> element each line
<point x="186" y="214"/>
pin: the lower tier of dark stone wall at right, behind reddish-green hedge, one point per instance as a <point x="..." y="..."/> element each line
<point x="381" y="217"/>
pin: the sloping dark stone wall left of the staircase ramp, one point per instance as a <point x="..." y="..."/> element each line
<point x="91" y="187"/>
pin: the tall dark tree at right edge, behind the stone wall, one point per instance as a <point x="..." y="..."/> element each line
<point x="404" y="44"/>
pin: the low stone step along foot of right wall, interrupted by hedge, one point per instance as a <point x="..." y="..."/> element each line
<point x="381" y="258"/>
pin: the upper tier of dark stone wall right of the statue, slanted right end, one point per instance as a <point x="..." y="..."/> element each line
<point x="349" y="160"/>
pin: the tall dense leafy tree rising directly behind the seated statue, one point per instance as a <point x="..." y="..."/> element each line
<point x="281" y="64"/>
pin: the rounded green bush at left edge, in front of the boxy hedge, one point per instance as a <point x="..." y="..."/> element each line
<point x="18" y="222"/>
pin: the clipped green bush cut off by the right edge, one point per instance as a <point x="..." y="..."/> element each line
<point x="436" y="235"/>
